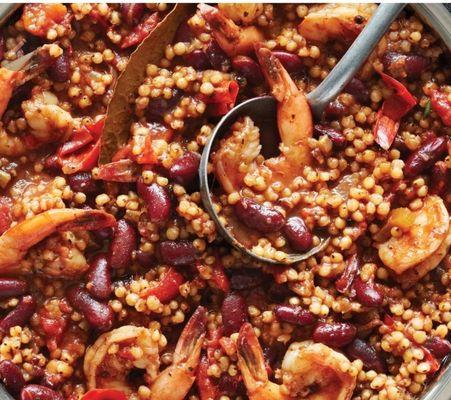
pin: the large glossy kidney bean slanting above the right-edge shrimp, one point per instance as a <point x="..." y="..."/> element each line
<point x="425" y="156"/>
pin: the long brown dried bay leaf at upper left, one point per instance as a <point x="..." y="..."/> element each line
<point x="119" y="115"/>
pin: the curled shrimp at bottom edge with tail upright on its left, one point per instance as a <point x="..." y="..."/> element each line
<point x="310" y="371"/>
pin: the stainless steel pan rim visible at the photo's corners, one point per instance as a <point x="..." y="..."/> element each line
<point x="439" y="19"/>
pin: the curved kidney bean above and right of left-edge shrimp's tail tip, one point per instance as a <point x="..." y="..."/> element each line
<point x="157" y="199"/>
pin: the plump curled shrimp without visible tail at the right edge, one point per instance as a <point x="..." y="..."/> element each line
<point x="427" y="234"/>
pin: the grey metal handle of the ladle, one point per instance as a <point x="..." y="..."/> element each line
<point x="356" y="55"/>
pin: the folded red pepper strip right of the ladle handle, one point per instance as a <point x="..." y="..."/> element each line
<point x="393" y="109"/>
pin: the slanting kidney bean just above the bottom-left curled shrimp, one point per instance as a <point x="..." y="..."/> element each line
<point x="99" y="315"/>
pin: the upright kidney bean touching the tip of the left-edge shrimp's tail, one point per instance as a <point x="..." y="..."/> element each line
<point x="122" y="245"/>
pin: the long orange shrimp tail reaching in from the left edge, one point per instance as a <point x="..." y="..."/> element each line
<point x="17" y="240"/>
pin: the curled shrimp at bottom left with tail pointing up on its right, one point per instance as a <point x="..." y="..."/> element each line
<point x="115" y="353"/>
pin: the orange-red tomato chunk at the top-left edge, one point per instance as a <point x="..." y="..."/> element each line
<point x="39" y="18"/>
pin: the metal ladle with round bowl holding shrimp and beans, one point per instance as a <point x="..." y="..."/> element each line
<point x="263" y="107"/>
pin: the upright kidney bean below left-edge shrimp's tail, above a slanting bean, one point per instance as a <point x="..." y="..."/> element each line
<point x="99" y="277"/>
